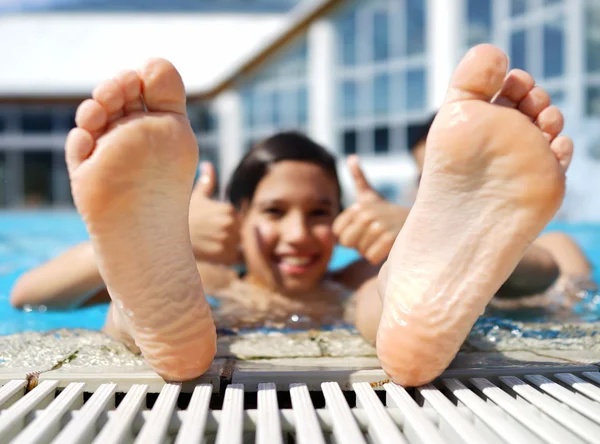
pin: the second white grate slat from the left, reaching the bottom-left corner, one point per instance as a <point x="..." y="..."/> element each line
<point x="12" y="420"/>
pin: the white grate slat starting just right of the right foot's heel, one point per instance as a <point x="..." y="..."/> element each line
<point x="488" y="414"/>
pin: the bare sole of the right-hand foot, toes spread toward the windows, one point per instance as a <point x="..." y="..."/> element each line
<point x="494" y="176"/>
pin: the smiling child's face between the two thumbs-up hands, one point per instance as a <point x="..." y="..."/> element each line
<point x="287" y="235"/>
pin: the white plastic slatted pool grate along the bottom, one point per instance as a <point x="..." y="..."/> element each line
<point x="557" y="408"/>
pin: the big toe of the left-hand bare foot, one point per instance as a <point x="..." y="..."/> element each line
<point x="162" y="87"/>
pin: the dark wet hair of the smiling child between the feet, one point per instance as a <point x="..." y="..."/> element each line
<point x="277" y="148"/>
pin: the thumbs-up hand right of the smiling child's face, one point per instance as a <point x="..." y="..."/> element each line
<point x="371" y="224"/>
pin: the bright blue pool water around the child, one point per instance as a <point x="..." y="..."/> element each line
<point x="27" y="239"/>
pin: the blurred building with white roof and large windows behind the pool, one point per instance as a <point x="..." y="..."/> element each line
<point x="354" y="75"/>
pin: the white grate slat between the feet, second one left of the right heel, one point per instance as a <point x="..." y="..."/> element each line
<point x="345" y="428"/>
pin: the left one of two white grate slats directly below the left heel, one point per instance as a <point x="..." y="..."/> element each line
<point x="155" y="427"/>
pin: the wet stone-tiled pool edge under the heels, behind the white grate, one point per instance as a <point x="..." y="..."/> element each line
<point x="307" y="357"/>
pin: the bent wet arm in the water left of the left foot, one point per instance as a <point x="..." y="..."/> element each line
<point x="71" y="278"/>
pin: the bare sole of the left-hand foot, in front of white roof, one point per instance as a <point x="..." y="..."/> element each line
<point x="132" y="171"/>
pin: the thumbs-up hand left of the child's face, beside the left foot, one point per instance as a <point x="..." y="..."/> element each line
<point x="214" y="226"/>
